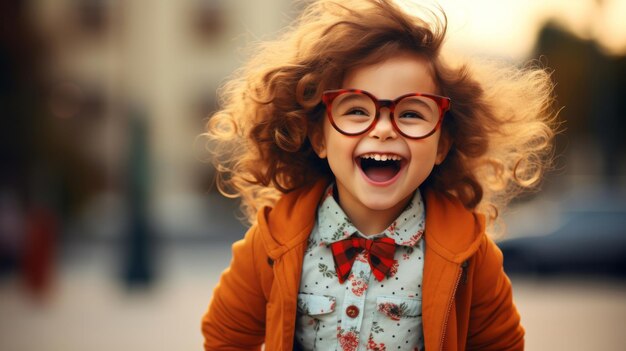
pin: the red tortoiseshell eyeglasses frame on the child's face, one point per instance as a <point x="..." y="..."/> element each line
<point x="329" y="96"/>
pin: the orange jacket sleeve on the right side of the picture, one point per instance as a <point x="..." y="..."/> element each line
<point x="494" y="322"/>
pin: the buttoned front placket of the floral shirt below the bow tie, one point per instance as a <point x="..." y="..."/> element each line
<point x="354" y="301"/>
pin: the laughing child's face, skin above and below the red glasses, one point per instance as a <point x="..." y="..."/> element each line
<point x="365" y="188"/>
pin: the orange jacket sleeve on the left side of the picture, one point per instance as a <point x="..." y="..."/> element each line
<point x="235" y="319"/>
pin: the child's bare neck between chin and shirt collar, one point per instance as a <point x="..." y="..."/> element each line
<point x="370" y="221"/>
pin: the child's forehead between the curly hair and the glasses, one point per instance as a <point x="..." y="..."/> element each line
<point x="398" y="75"/>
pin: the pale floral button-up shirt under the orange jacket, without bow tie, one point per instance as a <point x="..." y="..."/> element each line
<point x="362" y="313"/>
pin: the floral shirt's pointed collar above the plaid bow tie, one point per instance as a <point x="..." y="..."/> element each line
<point x="334" y="225"/>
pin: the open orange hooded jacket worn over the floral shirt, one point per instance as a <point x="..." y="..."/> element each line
<point x="466" y="297"/>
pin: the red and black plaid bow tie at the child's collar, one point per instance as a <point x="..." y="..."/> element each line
<point x="380" y="255"/>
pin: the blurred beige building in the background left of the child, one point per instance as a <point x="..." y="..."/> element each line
<point x="159" y="61"/>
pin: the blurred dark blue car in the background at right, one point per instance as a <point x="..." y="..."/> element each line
<point x="589" y="241"/>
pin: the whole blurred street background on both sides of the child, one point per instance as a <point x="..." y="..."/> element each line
<point x="112" y="234"/>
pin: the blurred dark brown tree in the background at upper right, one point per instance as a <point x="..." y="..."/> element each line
<point x="592" y="87"/>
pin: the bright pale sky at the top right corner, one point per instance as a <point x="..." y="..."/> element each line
<point x="508" y="28"/>
